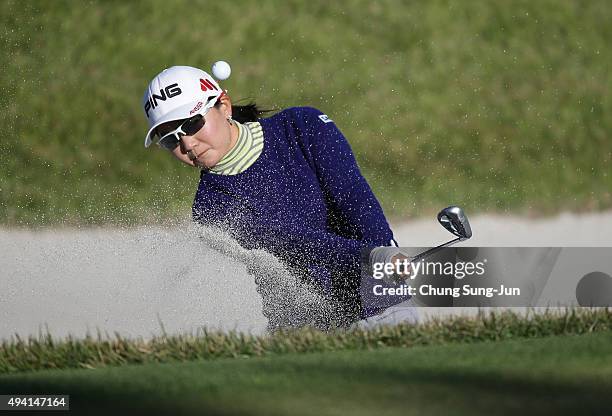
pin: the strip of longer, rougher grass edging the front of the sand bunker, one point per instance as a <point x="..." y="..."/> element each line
<point x="45" y="352"/>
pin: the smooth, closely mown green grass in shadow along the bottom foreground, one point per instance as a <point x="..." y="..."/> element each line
<point x="551" y="375"/>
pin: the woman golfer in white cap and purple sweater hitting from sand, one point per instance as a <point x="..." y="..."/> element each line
<point x="288" y="183"/>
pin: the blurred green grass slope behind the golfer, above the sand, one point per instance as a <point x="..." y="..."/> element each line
<point x="495" y="106"/>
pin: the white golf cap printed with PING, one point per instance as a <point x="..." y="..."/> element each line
<point x="177" y="93"/>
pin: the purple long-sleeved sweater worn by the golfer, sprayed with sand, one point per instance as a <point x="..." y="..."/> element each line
<point x="304" y="200"/>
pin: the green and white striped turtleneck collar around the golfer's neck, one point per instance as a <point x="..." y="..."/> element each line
<point x="245" y="152"/>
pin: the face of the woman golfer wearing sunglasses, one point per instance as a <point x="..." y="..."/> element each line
<point x="207" y="147"/>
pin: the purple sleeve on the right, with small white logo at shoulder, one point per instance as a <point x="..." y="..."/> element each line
<point x="352" y="201"/>
